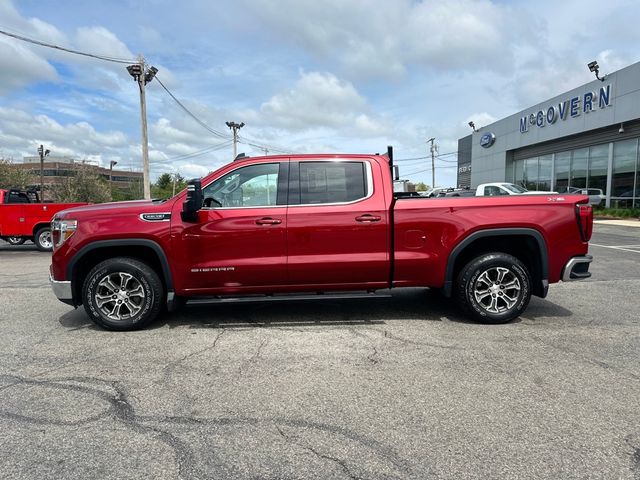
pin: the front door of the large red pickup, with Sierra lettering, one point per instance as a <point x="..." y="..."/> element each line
<point x="239" y="242"/>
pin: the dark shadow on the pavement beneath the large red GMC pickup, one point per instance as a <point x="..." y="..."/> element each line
<point x="404" y="304"/>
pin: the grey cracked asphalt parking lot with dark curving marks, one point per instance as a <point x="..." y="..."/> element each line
<point x="400" y="387"/>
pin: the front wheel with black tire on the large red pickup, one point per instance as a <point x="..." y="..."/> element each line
<point x="123" y="294"/>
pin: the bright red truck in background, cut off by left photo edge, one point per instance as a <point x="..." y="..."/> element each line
<point x="23" y="217"/>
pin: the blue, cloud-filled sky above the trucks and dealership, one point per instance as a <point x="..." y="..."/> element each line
<point x="304" y="76"/>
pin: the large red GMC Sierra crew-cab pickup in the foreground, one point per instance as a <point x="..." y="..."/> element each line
<point x="314" y="223"/>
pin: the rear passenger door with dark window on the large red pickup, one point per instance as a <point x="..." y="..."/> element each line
<point x="337" y="223"/>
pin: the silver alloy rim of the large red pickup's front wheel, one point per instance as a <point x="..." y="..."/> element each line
<point x="119" y="296"/>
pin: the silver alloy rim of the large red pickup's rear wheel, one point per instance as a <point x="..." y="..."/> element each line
<point x="497" y="289"/>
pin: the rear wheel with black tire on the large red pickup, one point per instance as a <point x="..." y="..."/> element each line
<point x="494" y="288"/>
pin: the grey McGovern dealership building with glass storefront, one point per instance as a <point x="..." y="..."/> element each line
<point x="584" y="138"/>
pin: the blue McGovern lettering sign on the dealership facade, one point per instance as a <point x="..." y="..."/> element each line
<point x="572" y="107"/>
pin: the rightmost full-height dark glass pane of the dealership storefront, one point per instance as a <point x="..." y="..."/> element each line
<point x="623" y="183"/>
